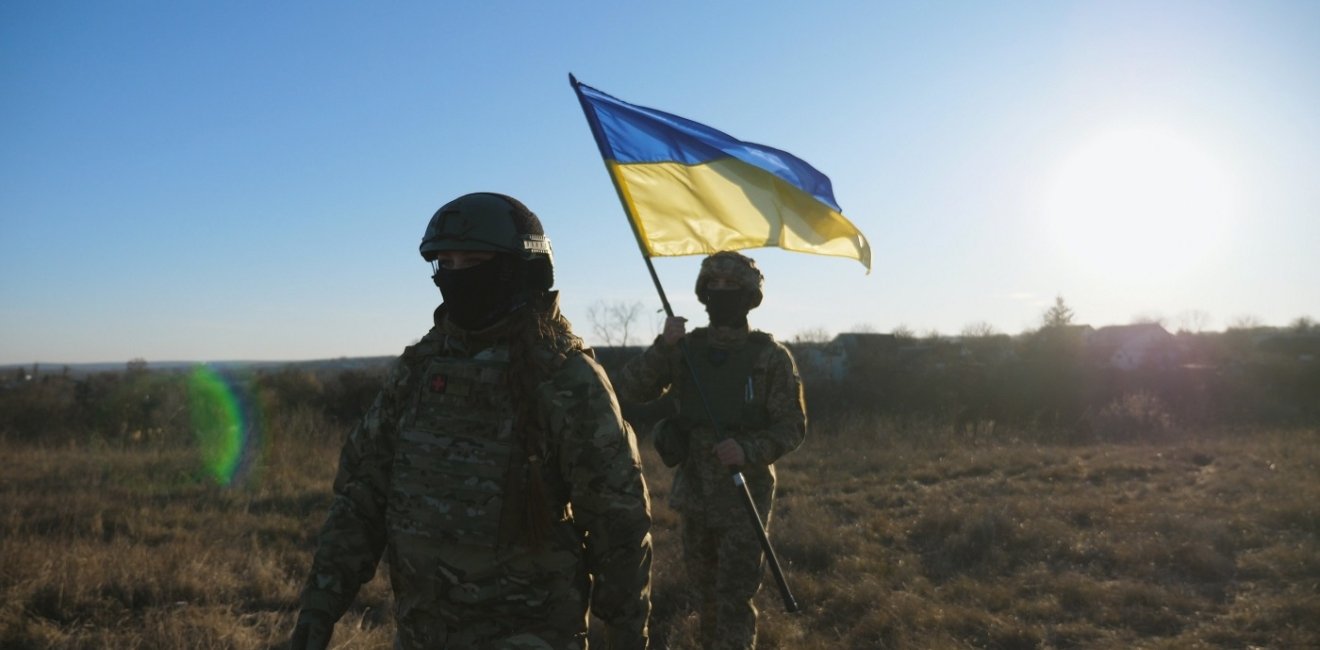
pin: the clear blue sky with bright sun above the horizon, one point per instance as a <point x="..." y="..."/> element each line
<point x="242" y="180"/>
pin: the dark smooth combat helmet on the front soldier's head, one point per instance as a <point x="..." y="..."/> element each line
<point x="486" y="221"/>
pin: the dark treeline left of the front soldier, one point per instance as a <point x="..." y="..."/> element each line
<point x="142" y="405"/>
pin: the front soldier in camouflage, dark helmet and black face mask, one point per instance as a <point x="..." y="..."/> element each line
<point x="494" y="470"/>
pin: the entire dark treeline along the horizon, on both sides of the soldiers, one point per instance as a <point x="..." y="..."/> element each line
<point x="1055" y="381"/>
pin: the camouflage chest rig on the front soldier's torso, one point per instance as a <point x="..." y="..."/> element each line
<point x="455" y="452"/>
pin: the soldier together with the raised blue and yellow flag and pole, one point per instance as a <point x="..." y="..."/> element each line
<point x="691" y="190"/>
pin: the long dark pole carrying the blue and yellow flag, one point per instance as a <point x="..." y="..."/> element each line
<point x="740" y="484"/>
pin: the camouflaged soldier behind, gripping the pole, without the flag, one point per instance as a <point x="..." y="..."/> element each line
<point x="756" y="393"/>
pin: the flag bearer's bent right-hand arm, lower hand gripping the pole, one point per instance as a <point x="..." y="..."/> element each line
<point x="786" y="409"/>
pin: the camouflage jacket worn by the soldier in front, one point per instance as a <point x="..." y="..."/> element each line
<point x="599" y="546"/>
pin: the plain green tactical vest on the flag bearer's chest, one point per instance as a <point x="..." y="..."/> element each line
<point x="732" y="382"/>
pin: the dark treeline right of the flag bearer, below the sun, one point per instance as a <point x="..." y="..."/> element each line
<point x="1061" y="380"/>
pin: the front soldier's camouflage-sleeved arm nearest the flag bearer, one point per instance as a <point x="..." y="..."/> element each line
<point x="599" y="456"/>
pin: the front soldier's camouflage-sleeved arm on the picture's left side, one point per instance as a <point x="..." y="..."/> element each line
<point x="353" y="538"/>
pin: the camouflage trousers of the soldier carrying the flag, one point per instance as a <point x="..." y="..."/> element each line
<point x="725" y="563"/>
